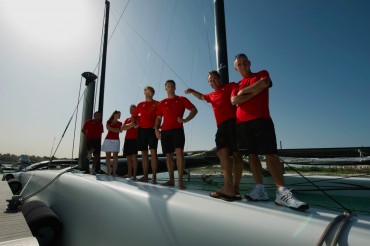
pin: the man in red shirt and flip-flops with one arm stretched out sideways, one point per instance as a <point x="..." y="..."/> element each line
<point x="224" y="113"/>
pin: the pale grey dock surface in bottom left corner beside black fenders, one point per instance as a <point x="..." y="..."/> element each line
<point x="14" y="229"/>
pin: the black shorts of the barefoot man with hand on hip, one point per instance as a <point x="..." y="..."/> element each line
<point x="172" y="139"/>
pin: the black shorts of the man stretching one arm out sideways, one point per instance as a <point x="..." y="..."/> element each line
<point x="226" y="135"/>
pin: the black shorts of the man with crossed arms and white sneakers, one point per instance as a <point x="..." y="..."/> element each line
<point x="257" y="136"/>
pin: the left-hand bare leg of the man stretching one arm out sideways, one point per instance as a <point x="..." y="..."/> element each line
<point x="223" y="155"/>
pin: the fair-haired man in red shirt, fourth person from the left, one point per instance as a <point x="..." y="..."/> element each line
<point x="145" y="113"/>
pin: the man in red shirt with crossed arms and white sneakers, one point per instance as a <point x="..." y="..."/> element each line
<point x="256" y="132"/>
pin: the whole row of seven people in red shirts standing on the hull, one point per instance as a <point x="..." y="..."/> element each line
<point x="243" y="122"/>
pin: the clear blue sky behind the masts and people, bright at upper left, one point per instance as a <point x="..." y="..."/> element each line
<point x="317" y="53"/>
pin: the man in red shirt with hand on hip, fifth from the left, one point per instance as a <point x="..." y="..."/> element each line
<point x="172" y="133"/>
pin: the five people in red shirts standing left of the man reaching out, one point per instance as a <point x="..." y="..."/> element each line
<point x="144" y="129"/>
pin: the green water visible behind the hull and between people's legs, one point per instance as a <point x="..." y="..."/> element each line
<point x="340" y="200"/>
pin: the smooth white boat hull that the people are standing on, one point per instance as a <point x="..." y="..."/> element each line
<point x="102" y="210"/>
